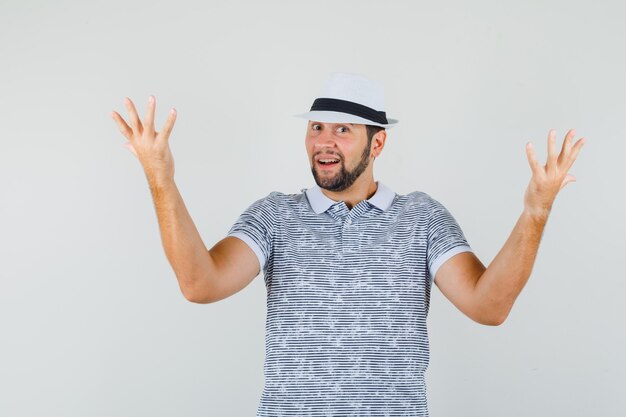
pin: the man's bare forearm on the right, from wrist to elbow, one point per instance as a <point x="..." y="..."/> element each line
<point x="498" y="287"/>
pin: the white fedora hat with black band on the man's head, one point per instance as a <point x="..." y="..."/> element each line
<point x="350" y="98"/>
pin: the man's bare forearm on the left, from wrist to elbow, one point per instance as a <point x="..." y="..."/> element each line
<point x="182" y="243"/>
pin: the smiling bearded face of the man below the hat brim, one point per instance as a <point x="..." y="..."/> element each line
<point x="338" y="153"/>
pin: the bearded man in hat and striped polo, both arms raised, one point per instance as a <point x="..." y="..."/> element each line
<point x="348" y="264"/>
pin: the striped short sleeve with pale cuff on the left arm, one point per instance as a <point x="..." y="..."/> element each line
<point x="255" y="227"/>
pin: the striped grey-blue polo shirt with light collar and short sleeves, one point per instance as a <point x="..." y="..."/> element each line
<point x="348" y="292"/>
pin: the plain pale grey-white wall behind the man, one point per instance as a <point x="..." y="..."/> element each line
<point x="92" y="321"/>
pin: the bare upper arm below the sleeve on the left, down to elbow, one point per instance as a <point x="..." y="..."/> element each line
<point x="233" y="266"/>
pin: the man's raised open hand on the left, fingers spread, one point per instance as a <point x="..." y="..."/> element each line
<point x="149" y="146"/>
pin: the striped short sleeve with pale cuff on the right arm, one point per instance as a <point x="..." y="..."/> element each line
<point x="445" y="237"/>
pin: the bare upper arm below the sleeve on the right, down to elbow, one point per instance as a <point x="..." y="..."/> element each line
<point x="457" y="278"/>
